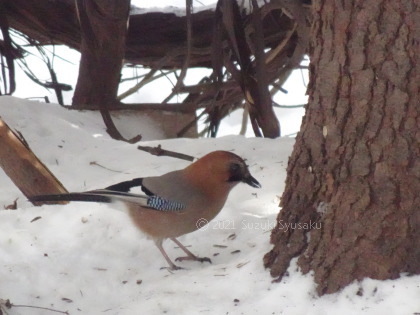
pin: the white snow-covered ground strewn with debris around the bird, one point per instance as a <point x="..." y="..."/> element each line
<point x="89" y="258"/>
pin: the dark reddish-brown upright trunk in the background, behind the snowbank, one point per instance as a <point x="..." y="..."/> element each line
<point x="103" y="26"/>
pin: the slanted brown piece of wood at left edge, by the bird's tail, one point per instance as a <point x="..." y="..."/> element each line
<point x="23" y="167"/>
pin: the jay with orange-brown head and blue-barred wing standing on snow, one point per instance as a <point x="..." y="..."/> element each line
<point x="175" y="203"/>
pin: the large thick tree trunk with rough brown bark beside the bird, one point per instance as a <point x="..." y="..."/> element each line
<point x="354" y="176"/>
